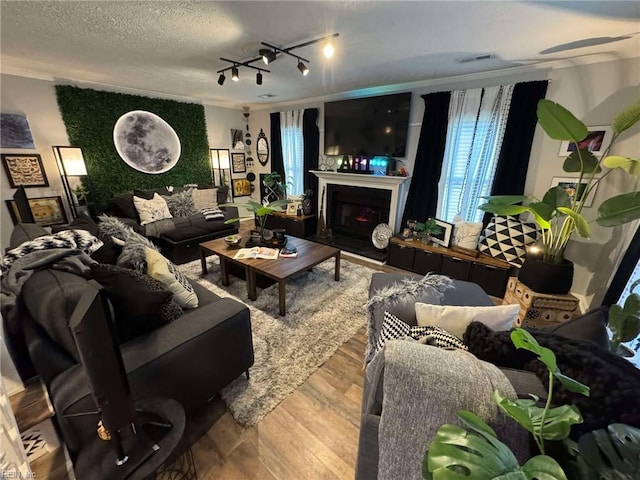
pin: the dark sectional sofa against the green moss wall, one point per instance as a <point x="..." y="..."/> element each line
<point x="177" y="237"/>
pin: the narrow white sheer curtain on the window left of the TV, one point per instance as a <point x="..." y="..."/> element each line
<point x="292" y="150"/>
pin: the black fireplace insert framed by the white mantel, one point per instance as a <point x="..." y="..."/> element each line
<point x="356" y="211"/>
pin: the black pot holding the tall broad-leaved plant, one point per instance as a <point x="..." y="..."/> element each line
<point x="550" y="278"/>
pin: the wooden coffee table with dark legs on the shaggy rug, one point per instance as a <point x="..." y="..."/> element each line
<point x="281" y="269"/>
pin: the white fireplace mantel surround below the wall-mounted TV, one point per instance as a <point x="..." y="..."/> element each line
<point x="397" y="185"/>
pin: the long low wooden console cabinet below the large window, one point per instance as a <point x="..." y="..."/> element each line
<point x="490" y="273"/>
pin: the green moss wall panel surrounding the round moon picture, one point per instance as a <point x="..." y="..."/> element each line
<point x="90" y="115"/>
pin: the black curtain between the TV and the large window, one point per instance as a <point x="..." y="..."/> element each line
<point x="422" y="199"/>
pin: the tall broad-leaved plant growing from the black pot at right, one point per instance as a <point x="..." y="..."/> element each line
<point x="557" y="214"/>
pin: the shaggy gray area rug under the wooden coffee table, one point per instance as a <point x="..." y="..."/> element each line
<point x="322" y="314"/>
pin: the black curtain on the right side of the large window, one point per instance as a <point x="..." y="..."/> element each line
<point x="513" y="161"/>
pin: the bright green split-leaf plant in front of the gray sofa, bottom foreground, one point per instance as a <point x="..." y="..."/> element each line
<point x="477" y="453"/>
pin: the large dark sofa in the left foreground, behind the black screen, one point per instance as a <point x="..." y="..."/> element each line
<point x="190" y="359"/>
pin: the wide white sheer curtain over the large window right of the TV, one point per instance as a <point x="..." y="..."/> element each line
<point x="477" y="119"/>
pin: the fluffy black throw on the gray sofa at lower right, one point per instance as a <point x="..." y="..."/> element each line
<point x="613" y="381"/>
